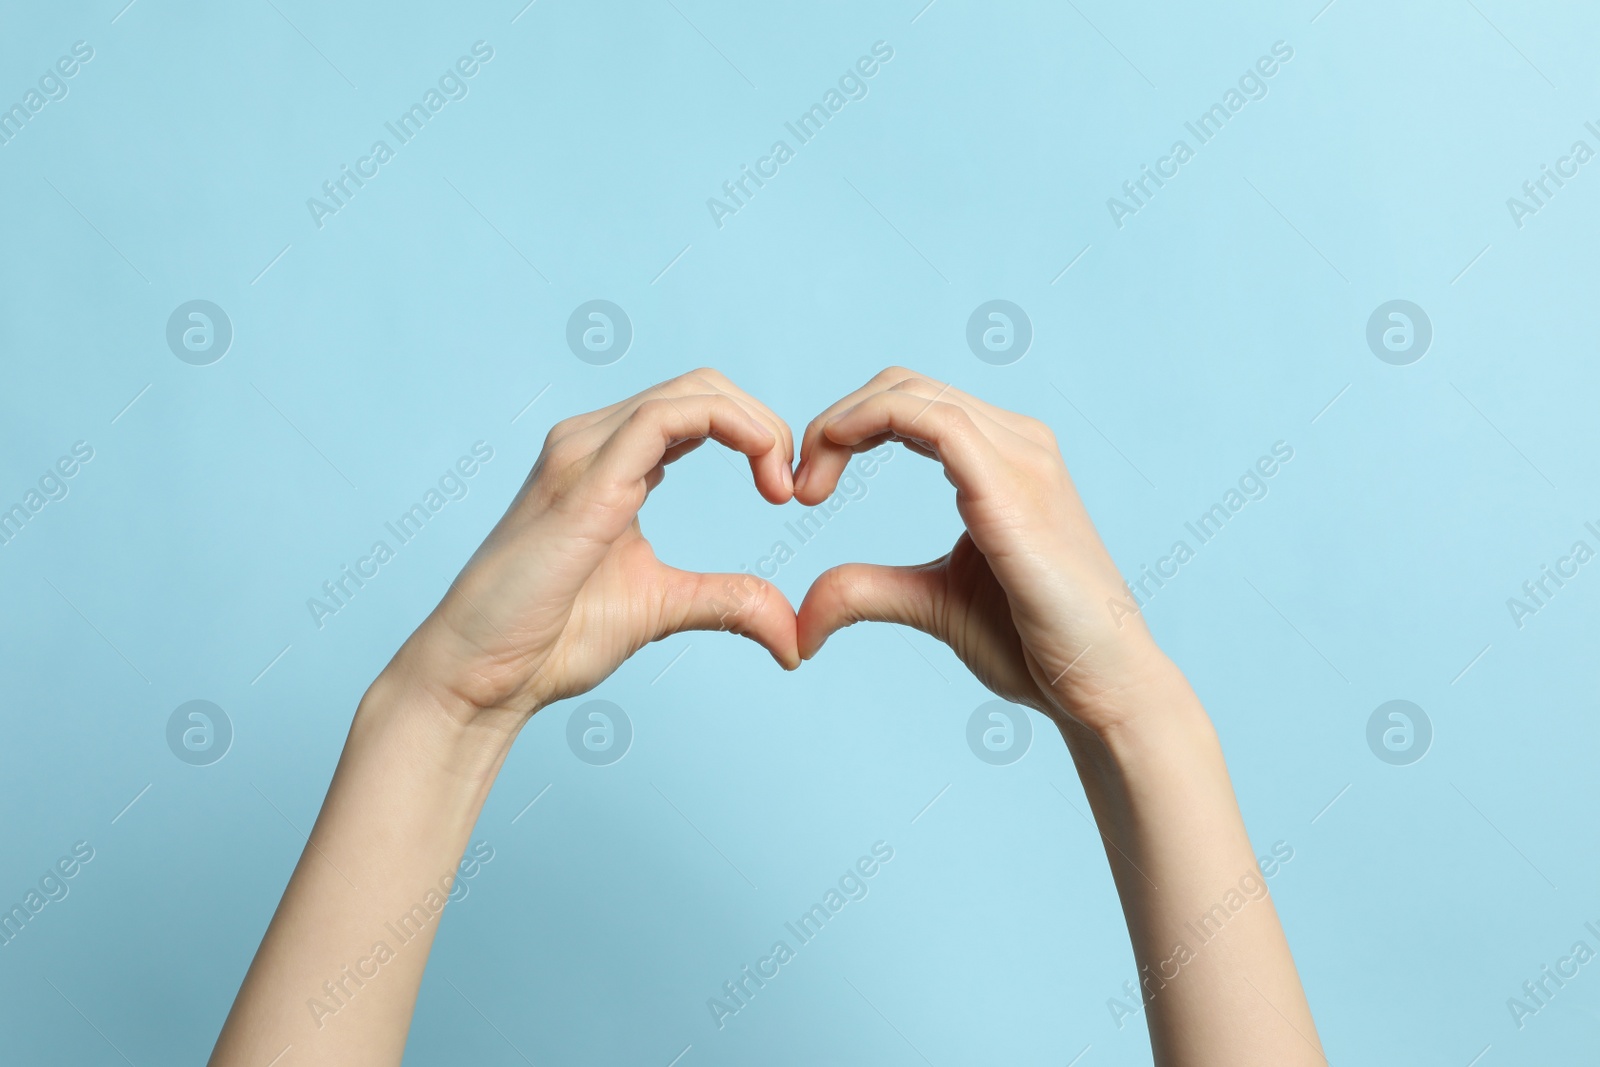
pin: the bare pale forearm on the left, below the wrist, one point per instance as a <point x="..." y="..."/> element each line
<point x="338" y="970"/>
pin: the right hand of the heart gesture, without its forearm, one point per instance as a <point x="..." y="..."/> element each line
<point x="1023" y="599"/>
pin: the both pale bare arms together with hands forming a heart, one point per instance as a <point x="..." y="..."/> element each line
<point x="567" y="588"/>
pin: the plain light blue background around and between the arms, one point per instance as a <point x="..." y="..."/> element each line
<point x="375" y="351"/>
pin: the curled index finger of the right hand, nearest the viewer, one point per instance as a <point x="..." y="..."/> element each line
<point x="946" y="431"/>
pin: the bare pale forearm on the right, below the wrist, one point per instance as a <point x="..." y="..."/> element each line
<point x="1215" y="969"/>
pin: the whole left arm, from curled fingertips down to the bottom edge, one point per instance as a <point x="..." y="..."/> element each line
<point x="562" y="591"/>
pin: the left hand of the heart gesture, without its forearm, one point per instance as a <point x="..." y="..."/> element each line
<point x="566" y="588"/>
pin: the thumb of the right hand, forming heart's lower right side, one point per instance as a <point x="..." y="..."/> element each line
<point x="866" y="593"/>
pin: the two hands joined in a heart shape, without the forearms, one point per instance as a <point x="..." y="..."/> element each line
<point x="567" y="588"/>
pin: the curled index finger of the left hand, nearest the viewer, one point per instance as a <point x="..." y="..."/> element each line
<point x="657" y="426"/>
